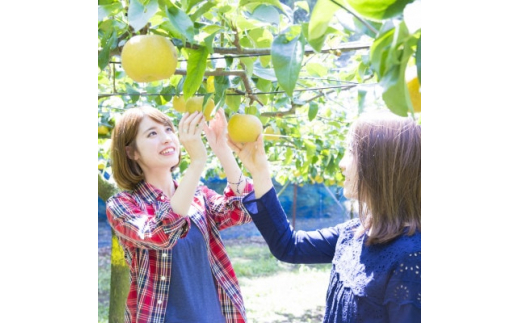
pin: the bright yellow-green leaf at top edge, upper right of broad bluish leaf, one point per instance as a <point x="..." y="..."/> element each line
<point x="320" y="18"/>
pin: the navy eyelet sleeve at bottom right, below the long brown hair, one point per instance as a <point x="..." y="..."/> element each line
<point x="403" y="292"/>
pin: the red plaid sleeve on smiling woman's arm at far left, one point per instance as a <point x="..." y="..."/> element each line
<point x="145" y="226"/>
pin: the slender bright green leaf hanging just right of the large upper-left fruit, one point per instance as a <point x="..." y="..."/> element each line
<point x="195" y="71"/>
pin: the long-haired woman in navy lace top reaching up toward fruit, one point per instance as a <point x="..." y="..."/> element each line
<point x="376" y="257"/>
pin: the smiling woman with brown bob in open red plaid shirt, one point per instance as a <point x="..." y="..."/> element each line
<point x="169" y="230"/>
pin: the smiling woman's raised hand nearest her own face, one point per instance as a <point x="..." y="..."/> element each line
<point x="190" y="129"/>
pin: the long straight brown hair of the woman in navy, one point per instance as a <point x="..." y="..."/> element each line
<point x="387" y="154"/>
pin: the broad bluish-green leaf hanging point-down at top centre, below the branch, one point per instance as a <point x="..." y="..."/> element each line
<point x="287" y="57"/>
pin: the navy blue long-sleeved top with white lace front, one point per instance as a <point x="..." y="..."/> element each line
<point x="370" y="284"/>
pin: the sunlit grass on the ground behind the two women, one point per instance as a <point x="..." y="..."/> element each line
<point x="273" y="291"/>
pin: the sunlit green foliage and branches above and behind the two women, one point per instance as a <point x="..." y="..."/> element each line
<point x="306" y="68"/>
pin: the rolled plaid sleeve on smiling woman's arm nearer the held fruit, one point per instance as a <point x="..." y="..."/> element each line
<point x="227" y="209"/>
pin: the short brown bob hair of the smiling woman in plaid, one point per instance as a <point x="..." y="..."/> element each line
<point x="127" y="173"/>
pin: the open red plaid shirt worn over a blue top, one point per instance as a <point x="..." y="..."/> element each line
<point x="148" y="229"/>
